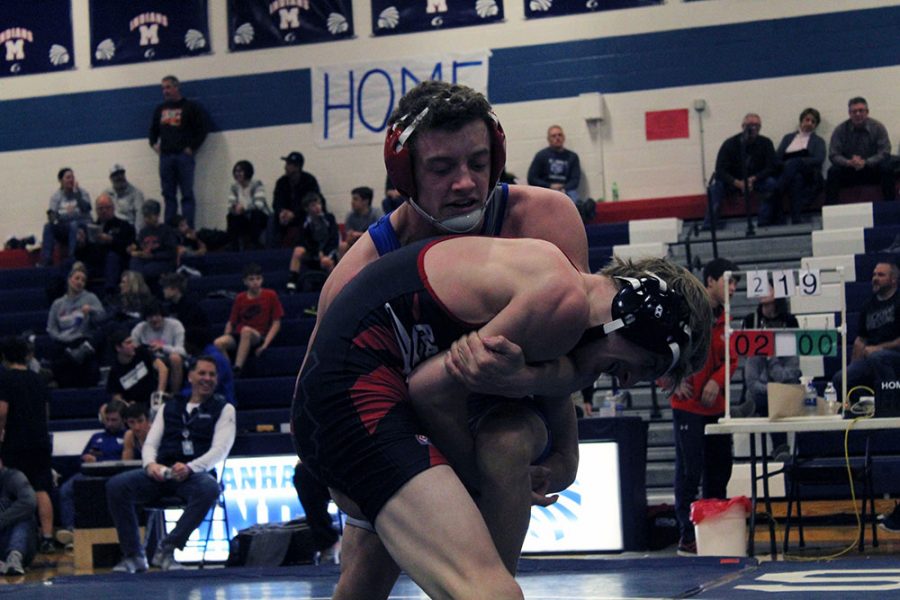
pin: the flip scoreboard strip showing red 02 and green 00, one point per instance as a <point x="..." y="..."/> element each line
<point x="768" y="342"/>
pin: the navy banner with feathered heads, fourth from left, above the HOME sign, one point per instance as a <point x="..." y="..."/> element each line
<point x="390" y="17"/>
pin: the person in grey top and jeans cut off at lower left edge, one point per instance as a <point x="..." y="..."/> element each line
<point x="17" y="506"/>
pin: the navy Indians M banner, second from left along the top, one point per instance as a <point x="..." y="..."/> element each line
<point x="147" y="30"/>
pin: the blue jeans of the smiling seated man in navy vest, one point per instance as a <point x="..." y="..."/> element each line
<point x="126" y="491"/>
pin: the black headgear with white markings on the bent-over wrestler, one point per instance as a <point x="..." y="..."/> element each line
<point x="648" y="314"/>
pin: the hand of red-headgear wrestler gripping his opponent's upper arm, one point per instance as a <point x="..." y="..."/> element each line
<point x="486" y="365"/>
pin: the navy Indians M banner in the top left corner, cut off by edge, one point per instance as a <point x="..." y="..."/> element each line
<point x="35" y="37"/>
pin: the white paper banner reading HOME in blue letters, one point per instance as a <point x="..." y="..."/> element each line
<point x="352" y="103"/>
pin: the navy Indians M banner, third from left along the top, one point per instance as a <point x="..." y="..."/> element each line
<point x="255" y="24"/>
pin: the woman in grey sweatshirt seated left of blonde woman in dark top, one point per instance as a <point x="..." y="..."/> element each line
<point x="73" y="324"/>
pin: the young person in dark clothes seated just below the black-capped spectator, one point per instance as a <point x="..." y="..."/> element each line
<point x="317" y="253"/>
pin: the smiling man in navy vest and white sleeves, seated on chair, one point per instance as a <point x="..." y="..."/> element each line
<point x="189" y="436"/>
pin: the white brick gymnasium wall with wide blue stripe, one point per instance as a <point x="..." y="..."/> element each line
<point x="774" y="57"/>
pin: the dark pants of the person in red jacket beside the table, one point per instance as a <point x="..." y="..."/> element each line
<point x="698" y="458"/>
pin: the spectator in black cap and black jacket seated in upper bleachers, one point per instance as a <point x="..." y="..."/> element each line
<point x="287" y="203"/>
